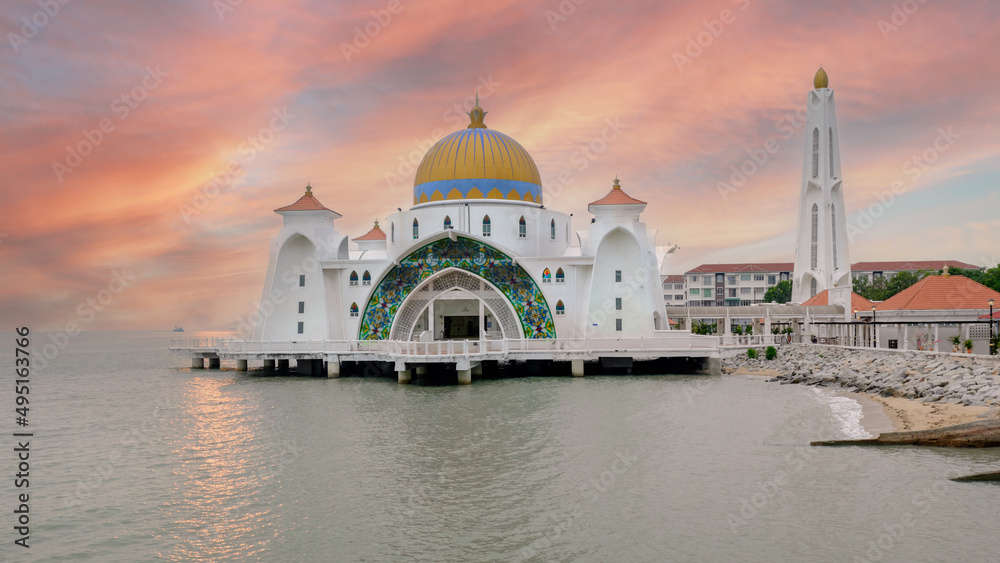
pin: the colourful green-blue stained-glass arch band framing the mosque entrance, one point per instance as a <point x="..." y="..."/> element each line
<point x="466" y="254"/>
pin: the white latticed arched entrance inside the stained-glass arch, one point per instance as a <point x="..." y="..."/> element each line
<point x="456" y="304"/>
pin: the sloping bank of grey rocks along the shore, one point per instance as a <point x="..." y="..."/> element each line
<point x="931" y="378"/>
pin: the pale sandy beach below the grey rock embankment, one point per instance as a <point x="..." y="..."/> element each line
<point x="896" y="414"/>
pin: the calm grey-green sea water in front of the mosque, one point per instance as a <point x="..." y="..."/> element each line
<point x="136" y="457"/>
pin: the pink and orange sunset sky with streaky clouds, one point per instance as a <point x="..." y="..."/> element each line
<point x="349" y="95"/>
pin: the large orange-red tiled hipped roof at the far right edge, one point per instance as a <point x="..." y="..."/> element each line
<point x="941" y="292"/>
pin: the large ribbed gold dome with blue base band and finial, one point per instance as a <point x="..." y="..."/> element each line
<point x="477" y="163"/>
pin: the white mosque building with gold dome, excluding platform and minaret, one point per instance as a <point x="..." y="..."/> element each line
<point x="477" y="256"/>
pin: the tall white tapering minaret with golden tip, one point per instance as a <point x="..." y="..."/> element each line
<point x="821" y="257"/>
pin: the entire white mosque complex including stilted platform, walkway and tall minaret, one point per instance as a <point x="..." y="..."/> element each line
<point x="479" y="272"/>
